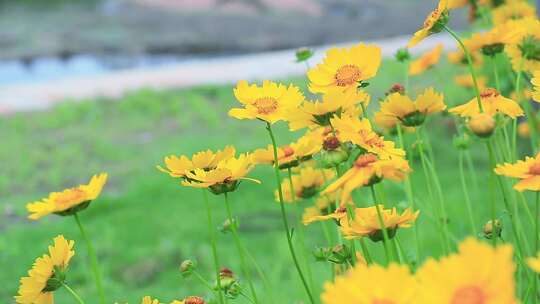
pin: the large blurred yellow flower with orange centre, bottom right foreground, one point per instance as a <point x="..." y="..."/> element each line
<point x="478" y="273"/>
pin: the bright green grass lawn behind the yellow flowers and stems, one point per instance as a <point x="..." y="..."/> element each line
<point x="145" y="224"/>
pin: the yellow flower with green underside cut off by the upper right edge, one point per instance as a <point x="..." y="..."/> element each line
<point x="525" y="54"/>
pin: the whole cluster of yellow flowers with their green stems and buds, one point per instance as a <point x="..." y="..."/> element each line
<point x="345" y="154"/>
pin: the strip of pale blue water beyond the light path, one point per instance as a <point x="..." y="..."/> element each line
<point x="53" y="68"/>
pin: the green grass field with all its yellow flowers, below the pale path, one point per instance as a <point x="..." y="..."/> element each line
<point x="412" y="179"/>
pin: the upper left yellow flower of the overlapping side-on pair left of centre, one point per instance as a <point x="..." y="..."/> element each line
<point x="179" y="166"/>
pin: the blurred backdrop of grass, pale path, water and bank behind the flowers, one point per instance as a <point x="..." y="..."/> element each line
<point x="113" y="86"/>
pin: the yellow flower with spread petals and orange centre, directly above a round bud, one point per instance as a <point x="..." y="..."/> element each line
<point x="492" y="103"/>
